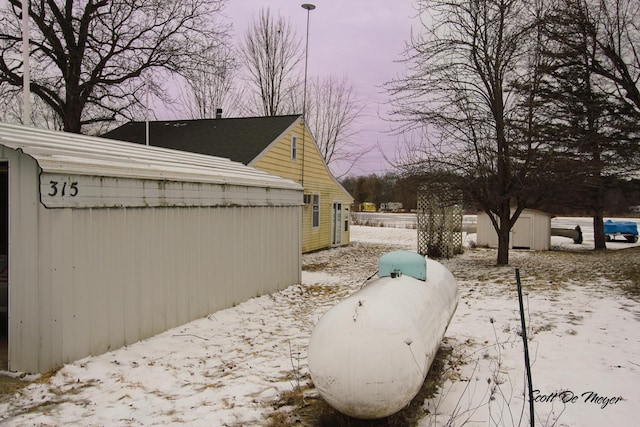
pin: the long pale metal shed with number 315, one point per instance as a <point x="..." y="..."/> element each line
<point x="109" y="242"/>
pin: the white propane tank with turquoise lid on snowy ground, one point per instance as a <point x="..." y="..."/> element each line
<point x="369" y="355"/>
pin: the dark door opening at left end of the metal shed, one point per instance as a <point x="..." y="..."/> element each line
<point x="4" y="265"/>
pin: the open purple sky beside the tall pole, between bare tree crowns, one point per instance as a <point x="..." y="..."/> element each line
<point x="359" y="39"/>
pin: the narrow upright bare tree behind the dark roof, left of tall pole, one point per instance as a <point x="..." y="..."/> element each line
<point x="271" y="54"/>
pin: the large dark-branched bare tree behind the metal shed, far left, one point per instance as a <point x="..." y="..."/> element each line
<point x="88" y="57"/>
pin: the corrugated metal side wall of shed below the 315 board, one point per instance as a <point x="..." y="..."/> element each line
<point x="111" y="277"/>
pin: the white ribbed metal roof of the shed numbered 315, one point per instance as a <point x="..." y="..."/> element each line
<point x="59" y="152"/>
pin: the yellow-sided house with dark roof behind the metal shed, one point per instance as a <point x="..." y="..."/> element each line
<point x="280" y="145"/>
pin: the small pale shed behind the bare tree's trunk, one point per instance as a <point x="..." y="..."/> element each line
<point x="532" y="230"/>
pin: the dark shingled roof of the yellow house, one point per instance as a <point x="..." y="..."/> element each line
<point x="239" y="139"/>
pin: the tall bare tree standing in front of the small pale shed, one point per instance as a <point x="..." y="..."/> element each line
<point x="460" y="90"/>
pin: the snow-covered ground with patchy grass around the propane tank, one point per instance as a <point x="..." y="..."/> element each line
<point x="233" y="367"/>
